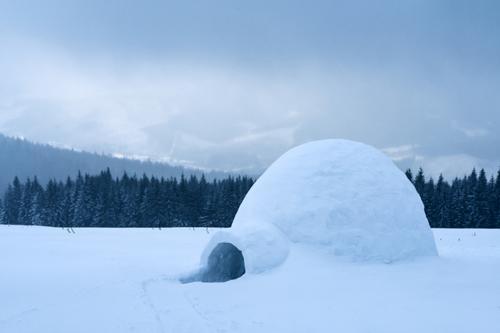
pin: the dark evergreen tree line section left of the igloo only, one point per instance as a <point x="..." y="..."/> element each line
<point x="104" y="201"/>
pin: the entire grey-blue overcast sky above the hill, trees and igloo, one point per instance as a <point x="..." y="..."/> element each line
<point x="233" y="84"/>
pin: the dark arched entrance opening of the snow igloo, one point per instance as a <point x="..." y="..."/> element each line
<point x="224" y="263"/>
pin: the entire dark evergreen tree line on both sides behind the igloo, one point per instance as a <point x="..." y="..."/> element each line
<point x="472" y="201"/>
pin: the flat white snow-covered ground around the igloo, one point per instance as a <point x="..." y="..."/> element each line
<point x="125" y="280"/>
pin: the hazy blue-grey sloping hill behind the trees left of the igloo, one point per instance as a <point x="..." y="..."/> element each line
<point x="22" y="158"/>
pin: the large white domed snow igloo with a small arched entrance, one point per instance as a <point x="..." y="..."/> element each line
<point x="344" y="196"/>
